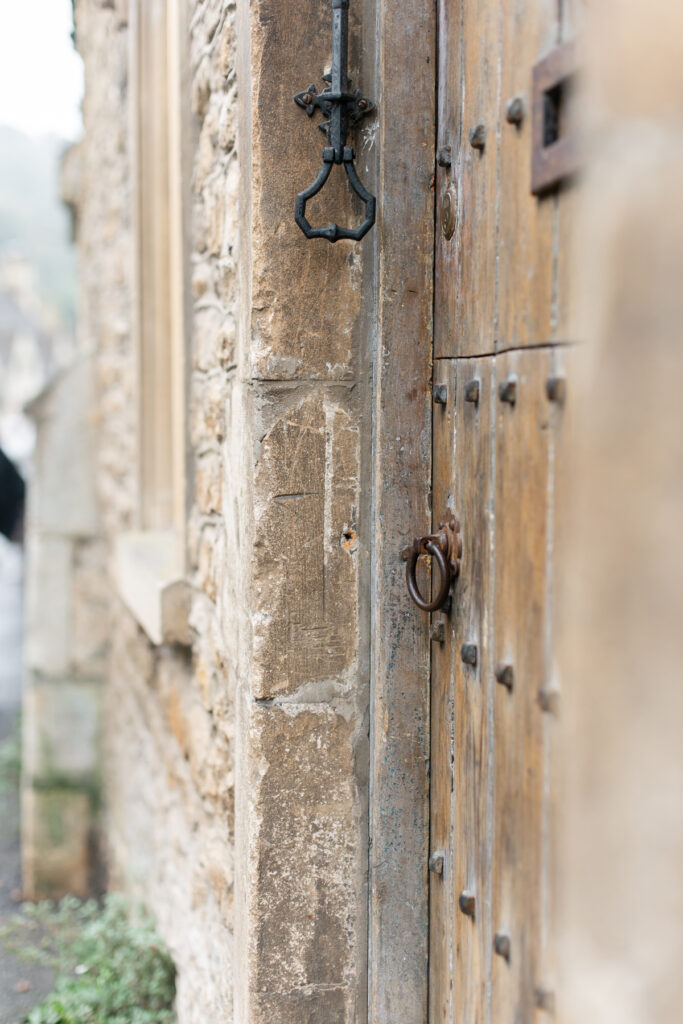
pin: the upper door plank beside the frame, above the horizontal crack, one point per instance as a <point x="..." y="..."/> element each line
<point x="466" y="265"/>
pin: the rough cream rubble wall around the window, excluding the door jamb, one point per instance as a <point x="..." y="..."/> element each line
<point x="169" y="717"/>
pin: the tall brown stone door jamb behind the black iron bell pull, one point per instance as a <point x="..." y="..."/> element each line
<point x="303" y="756"/>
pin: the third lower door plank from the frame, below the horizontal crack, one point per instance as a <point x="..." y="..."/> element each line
<point x="521" y="546"/>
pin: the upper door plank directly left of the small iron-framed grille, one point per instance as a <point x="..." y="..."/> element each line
<point x="526" y="231"/>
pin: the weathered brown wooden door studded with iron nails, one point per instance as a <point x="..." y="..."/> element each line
<point x="501" y="335"/>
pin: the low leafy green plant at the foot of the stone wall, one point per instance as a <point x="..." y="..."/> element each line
<point x="112" y="967"/>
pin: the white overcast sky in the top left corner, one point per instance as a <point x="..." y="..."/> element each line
<point x="41" y="76"/>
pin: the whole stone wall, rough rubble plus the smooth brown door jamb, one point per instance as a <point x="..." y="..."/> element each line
<point x="264" y="907"/>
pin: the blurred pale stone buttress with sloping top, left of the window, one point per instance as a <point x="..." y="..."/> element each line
<point x="66" y="644"/>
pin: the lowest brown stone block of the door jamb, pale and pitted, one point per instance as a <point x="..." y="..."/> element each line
<point x="309" y="849"/>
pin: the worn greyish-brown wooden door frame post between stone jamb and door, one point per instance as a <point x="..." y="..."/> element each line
<point x="400" y="741"/>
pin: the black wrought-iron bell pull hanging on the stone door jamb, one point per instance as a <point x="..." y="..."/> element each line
<point x="340" y="108"/>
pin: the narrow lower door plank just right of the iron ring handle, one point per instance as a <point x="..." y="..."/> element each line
<point x="473" y="693"/>
